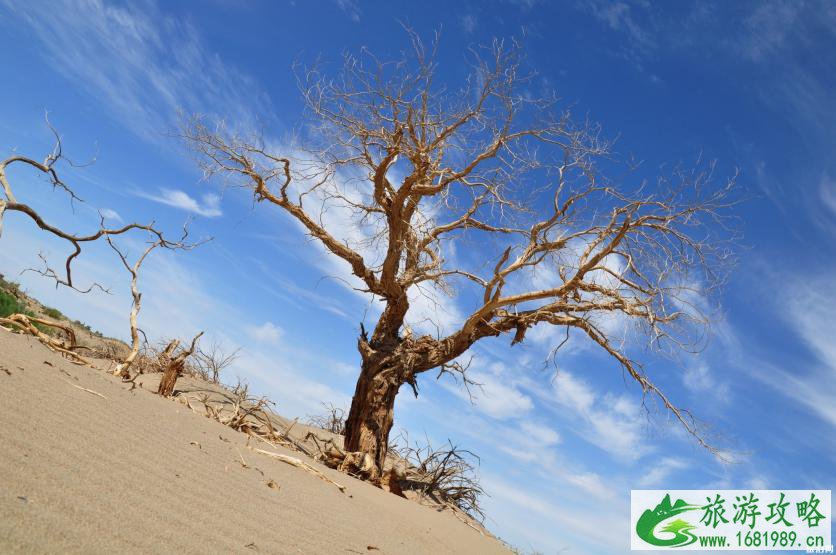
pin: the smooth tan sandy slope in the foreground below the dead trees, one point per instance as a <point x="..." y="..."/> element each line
<point x="138" y="473"/>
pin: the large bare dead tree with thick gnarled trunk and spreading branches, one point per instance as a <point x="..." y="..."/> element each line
<point x="414" y="166"/>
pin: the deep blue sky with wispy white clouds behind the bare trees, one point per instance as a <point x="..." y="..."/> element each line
<point x="750" y="84"/>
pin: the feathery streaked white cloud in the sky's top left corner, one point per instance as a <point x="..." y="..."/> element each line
<point x="142" y="65"/>
